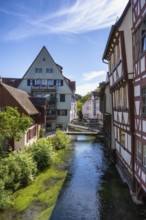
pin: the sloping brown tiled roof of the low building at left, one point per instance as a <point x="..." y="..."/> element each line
<point x="22" y="98"/>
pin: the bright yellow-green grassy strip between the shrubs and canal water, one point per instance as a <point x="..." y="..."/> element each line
<point x="44" y="191"/>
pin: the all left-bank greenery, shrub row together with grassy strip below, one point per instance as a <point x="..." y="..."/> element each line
<point x="21" y="169"/>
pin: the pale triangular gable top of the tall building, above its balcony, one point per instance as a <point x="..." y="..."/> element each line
<point x="44" y="69"/>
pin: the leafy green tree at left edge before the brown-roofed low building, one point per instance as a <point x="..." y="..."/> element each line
<point x="13" y="124"/>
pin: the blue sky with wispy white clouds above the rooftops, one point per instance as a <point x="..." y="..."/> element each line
<point x="74" y="32"/>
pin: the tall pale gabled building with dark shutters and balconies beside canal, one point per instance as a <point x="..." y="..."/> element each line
<point x="44" y="78"/>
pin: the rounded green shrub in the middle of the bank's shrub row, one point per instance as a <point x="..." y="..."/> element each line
<point x="42" y="153"/>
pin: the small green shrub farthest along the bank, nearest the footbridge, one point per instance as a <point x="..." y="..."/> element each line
<point x="60" y="140"/>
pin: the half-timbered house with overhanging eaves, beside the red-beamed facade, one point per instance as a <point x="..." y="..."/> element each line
<point x="118" y="55"/>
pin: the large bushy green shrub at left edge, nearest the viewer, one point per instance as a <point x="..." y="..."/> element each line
<point x="17" y="170"/>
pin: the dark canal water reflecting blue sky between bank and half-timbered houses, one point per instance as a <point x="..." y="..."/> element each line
<point x="81" y="197"/>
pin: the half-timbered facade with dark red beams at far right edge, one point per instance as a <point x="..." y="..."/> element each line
<point x="139" y="65"/>
